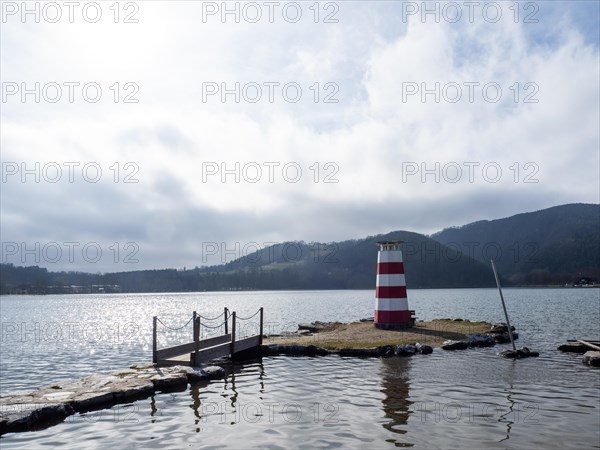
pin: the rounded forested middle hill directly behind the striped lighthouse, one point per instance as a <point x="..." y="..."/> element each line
<point x="352" y="264"/>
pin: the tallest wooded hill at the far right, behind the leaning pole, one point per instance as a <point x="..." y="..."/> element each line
<point x="553" y="246"/>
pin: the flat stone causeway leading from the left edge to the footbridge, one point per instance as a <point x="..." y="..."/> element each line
<point x="50" y="405"/>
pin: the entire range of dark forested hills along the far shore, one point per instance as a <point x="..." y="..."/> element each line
<point x="554" y="246"/>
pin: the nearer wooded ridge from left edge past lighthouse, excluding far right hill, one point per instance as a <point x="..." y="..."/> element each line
<point x="292" y="265"/>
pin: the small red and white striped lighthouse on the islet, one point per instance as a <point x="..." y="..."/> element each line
<point x="391" y="303"/>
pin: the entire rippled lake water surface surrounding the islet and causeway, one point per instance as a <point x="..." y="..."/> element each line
<point x="470" y="399"/>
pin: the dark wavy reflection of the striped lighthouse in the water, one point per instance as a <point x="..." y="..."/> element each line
<point x="395" y="385"/>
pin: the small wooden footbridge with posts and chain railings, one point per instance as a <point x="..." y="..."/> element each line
<point x="193" y="353"/>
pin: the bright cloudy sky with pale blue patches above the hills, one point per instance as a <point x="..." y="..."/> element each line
<point x="148" y="134"/>
